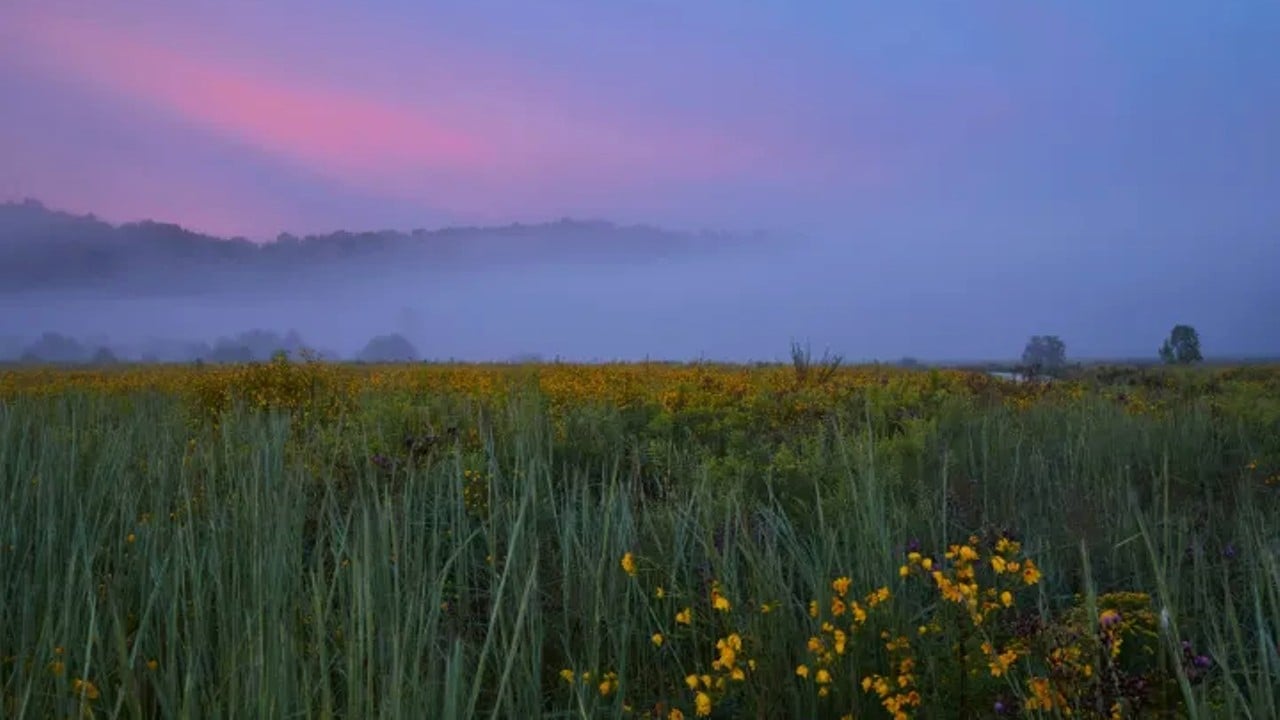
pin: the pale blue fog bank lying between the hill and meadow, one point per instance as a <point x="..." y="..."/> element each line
<point x="737" y="302"/>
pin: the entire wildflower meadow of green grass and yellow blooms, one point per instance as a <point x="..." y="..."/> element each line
<point x="296" y="539"/>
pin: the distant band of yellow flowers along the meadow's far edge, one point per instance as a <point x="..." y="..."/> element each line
<point x="317" y="390"/>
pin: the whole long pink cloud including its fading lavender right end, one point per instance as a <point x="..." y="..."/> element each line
<point x="461" y="154"/>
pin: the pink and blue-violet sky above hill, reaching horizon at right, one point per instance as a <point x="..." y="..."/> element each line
<point x="1113" y="167"/>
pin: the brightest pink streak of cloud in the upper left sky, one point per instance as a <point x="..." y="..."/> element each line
<point x="326" y="130"/>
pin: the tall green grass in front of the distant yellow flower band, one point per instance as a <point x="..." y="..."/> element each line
<point x="280" y="573"/>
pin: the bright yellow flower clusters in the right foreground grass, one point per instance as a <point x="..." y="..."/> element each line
<point x="977" y="581"/>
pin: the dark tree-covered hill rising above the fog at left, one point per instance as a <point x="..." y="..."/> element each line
<point x="52" y="250"/>
